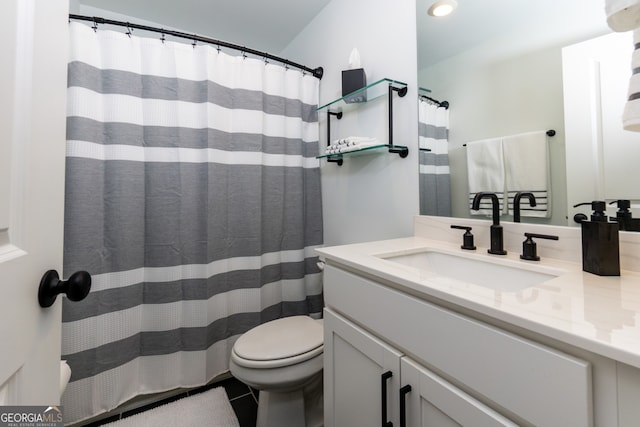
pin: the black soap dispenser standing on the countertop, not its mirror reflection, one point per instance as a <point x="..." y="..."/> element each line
<point x="600" y="243"/>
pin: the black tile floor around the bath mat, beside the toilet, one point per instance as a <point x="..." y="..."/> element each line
<point x="244" y="401"/>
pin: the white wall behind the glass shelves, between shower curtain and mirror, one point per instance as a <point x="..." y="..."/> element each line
<point x="372" y="197"/>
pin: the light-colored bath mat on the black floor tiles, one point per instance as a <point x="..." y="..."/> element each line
<point x="210" y="408"/>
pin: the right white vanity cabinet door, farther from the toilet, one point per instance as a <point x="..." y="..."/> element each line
<point x="434" y="402"/>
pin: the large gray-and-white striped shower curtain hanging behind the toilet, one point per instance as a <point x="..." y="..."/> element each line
<point x="193" y="199"/>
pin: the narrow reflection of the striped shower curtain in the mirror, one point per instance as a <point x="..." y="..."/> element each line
<point x="435" y="178"/>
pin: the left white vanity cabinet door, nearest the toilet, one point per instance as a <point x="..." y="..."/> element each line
<point x="355" y="364"/>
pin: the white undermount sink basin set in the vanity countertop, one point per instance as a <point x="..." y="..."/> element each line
<point x="494" y="275"/>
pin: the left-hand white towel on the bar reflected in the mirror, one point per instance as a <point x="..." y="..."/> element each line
<point x="485" y="167"/>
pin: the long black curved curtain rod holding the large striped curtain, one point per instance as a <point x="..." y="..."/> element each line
<point x="316" y="72"/>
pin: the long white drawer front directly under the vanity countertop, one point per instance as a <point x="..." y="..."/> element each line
<point x="539" y="384"/>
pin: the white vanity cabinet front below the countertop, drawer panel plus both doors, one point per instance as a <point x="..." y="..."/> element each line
<point x="461" y="371"/>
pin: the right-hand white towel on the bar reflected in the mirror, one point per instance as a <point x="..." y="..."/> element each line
<point x="526" y="159"/>
